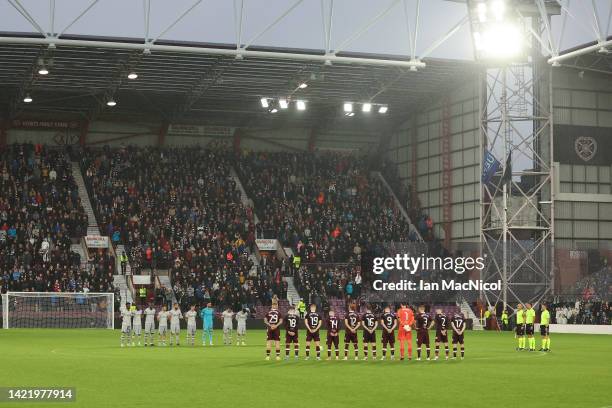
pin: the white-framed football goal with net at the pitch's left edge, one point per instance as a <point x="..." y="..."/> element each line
<point x="58" y="310"/>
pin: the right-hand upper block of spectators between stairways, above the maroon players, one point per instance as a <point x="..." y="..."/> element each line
<point x="322" y="205"/>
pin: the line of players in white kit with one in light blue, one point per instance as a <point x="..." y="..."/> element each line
<point x="131" y="326"/>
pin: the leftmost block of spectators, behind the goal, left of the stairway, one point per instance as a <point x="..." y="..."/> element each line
<point x="40" y="213"/>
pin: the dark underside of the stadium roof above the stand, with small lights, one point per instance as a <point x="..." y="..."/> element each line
<point x="211" y="89"/>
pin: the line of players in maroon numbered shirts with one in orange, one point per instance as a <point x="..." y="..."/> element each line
<point x="403" y="321"/>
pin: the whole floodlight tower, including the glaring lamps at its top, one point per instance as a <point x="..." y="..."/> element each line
<point x="517" y="201"/>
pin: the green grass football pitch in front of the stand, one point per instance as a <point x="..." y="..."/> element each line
<point x="577" y="373"/>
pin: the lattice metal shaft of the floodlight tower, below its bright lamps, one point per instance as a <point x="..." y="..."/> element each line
<point x="517" y="204"/>
